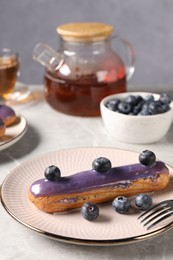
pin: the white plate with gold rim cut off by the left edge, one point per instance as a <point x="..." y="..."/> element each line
<point x="13" y="133"/>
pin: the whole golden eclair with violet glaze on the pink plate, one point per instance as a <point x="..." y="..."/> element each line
<point x="92" y="186"/>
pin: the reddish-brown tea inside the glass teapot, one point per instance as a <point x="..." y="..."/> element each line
<point x="82" y="96"/>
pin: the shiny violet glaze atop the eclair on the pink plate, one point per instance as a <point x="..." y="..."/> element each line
<point x="117" y="177"/>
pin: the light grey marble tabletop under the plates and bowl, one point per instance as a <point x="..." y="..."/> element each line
<point x="49" y="130"/>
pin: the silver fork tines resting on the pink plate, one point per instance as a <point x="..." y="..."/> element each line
<point x="157" y="213"/>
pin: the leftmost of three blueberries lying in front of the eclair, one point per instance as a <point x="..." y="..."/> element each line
<point x="90" y="211"/>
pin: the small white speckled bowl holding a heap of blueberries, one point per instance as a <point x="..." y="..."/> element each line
<point x="135" y="129"/>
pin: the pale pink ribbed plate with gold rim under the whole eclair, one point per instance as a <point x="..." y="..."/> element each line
<point x="110" y="228"/>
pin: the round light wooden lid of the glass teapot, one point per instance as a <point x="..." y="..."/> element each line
<point x="84" y="32"/>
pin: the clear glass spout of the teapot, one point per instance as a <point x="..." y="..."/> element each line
<point x="47" y="57"/>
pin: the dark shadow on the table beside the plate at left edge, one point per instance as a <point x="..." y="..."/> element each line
<point x="24" y="146"/>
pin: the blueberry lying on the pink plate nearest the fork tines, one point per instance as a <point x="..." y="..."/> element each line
<point x="143" y="201"/>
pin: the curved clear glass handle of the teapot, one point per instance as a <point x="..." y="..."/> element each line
<point x="130" y="67"/>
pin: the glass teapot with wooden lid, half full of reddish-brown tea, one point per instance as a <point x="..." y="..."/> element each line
<point x="85" y="69"/>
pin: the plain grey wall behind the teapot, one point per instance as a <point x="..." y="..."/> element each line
<point x="148" y="25"/>
